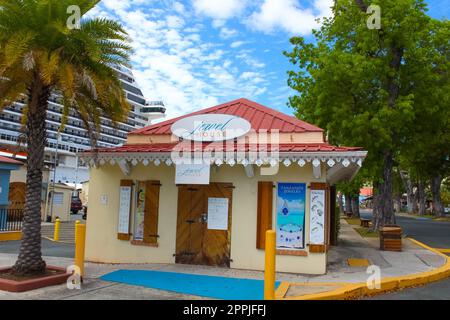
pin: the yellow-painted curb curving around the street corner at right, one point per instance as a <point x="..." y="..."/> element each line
<point x="349" y="291"/>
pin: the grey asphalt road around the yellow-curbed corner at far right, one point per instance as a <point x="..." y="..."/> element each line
<point x="436" y="234"/>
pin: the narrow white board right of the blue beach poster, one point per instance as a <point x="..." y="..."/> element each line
<point x="317" y="217"/>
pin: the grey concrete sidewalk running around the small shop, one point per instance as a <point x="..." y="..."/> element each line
<point x="414" y="259"/>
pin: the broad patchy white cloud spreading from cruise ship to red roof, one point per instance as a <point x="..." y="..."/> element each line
<point x="174" y="62"/>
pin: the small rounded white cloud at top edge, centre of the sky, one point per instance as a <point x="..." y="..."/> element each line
<point x="219" y="9"/>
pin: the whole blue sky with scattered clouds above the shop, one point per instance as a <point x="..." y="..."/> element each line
<point x="194" y="54"/>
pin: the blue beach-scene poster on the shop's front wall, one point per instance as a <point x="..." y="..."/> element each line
<point x="291" y="215"/>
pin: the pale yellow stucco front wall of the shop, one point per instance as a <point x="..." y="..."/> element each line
<point x="103" y="246"/>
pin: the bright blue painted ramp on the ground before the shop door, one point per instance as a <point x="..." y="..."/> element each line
<point x="198" y="285"/>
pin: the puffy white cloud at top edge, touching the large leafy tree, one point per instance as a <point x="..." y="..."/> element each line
<point x="289" y="16"/>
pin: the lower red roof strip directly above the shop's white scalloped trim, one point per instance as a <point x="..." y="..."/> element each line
<point x="219" y="146"/>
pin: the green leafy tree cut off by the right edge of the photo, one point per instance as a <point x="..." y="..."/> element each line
<point x="426" y="152"/>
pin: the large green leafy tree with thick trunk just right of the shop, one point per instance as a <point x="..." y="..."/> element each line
<point x="352" y="80"/>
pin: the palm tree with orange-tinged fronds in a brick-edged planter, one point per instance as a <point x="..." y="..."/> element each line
<point x="42" y="55"/>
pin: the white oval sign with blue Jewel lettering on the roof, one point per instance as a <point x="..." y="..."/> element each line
<point x="211" y="127"/>
